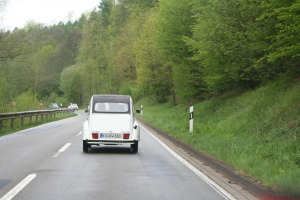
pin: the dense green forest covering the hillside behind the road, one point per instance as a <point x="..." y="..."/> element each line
<point x="176" y="51"/>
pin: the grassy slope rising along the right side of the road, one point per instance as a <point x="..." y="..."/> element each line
<point x="256" y="132"/>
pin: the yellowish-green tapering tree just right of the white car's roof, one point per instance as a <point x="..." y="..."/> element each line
<point x="153" y="76"/>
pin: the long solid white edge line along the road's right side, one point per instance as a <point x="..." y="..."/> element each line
<point x="210" y="182"/>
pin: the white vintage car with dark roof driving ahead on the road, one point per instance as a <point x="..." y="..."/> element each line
<point x="110" y="122"/>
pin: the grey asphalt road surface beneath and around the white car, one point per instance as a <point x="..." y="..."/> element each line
<point x="47" y="162"/>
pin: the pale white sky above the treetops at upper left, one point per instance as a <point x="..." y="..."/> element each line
<point x="19" y="12"/>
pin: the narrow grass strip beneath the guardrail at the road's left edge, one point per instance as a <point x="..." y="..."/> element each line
<point x="17" y="124"/>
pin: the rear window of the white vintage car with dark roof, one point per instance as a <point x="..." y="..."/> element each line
<point x="111" y="107"/>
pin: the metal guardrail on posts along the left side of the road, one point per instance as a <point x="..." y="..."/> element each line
<point x="21" y="115"/>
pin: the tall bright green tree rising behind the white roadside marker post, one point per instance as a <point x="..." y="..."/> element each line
<point x="175" y="19"/>
